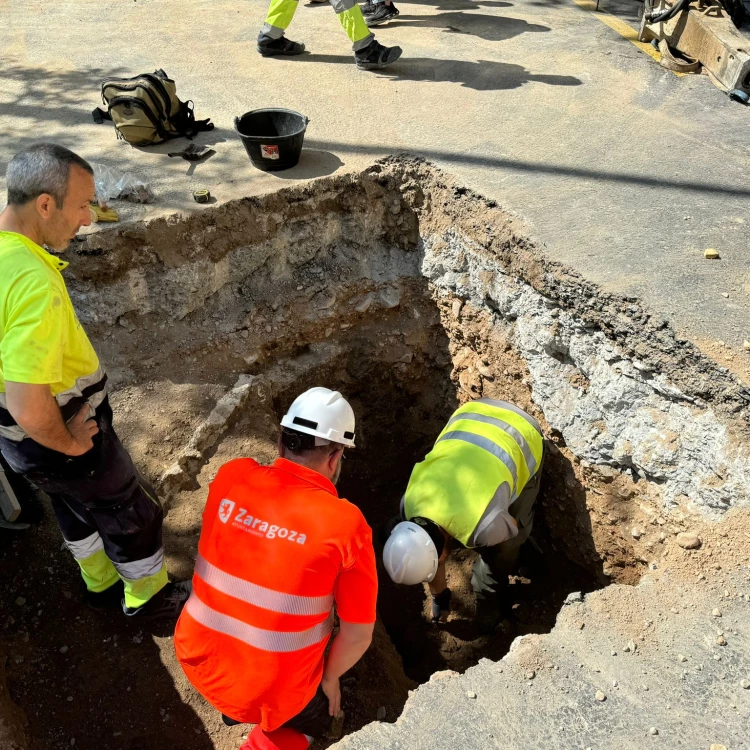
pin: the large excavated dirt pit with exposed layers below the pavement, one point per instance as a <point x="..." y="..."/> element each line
<point x="410" y="295"/>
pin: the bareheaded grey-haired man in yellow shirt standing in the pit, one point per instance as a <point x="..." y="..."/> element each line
<point x="55" y="418"/>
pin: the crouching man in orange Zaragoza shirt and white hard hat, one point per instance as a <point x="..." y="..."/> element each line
<point x="278" y="549"/>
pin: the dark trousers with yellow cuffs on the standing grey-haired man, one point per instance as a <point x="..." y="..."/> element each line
<point x="109" y="515"/>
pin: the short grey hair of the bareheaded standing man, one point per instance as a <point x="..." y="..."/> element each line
<point x="39" y="169"/>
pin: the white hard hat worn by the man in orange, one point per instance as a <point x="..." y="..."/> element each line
<point x="324" y="413"/>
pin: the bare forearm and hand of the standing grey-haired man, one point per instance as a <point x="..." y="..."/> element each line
<point x="38" y="415"/>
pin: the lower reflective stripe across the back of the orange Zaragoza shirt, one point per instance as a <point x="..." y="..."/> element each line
<point x="265" y="640"/>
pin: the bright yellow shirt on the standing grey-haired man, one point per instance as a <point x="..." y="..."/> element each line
<point x="41" y="340"/>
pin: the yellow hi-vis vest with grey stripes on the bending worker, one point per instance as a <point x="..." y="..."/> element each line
<point x="488" y="449"/>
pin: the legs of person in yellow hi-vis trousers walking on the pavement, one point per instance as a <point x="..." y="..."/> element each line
<point x="369" y="54"/>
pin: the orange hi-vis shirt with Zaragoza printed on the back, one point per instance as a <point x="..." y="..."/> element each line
<point x="278" y="547"/>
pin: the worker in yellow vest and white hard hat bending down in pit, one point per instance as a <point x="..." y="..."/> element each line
<point x="477" y="486"/>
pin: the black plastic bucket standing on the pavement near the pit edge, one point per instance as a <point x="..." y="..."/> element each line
<point x="272" y="137"/>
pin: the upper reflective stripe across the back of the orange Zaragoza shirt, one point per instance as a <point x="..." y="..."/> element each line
<point x="260" y="596"/>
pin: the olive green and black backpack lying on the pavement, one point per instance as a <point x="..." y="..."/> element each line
<point x="145" y="109"/>
